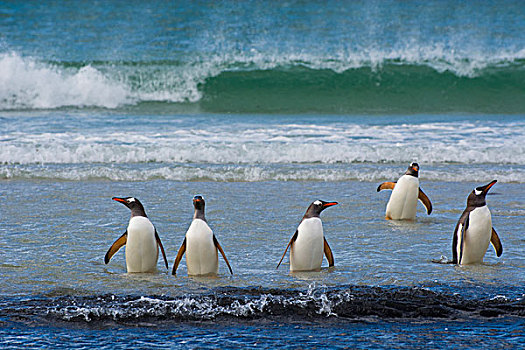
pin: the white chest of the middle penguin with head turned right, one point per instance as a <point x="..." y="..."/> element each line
<point x="306" y="253"/>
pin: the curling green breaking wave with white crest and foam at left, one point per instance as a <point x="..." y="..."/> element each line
<point x="410" y="81"/>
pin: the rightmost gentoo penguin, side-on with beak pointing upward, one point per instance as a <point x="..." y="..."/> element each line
<point x="474" y="230"/>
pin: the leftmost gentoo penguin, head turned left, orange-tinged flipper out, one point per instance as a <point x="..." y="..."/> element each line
<point x="141" y="239"/>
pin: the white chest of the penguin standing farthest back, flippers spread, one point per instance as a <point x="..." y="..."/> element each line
<point x="402" y="204"/>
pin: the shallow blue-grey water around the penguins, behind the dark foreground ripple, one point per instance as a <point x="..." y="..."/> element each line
<point x="58" y="233"/>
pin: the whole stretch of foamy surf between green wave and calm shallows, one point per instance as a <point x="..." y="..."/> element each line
<point x="194" y="150"/>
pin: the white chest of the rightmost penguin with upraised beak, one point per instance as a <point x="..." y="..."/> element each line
<point x="477" y="236"/>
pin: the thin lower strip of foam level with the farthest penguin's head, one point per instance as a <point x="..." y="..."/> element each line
<point x="255" y="173"/>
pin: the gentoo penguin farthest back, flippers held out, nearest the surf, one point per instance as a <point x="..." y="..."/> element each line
<point x="405" y="193"/>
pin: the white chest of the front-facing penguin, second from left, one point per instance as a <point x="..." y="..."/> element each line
<point x="201" y="253"/>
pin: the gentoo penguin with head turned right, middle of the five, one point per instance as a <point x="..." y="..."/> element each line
<point x="308" y="243"/>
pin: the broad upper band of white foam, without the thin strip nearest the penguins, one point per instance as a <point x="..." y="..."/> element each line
<point x="432" y="143"/>
